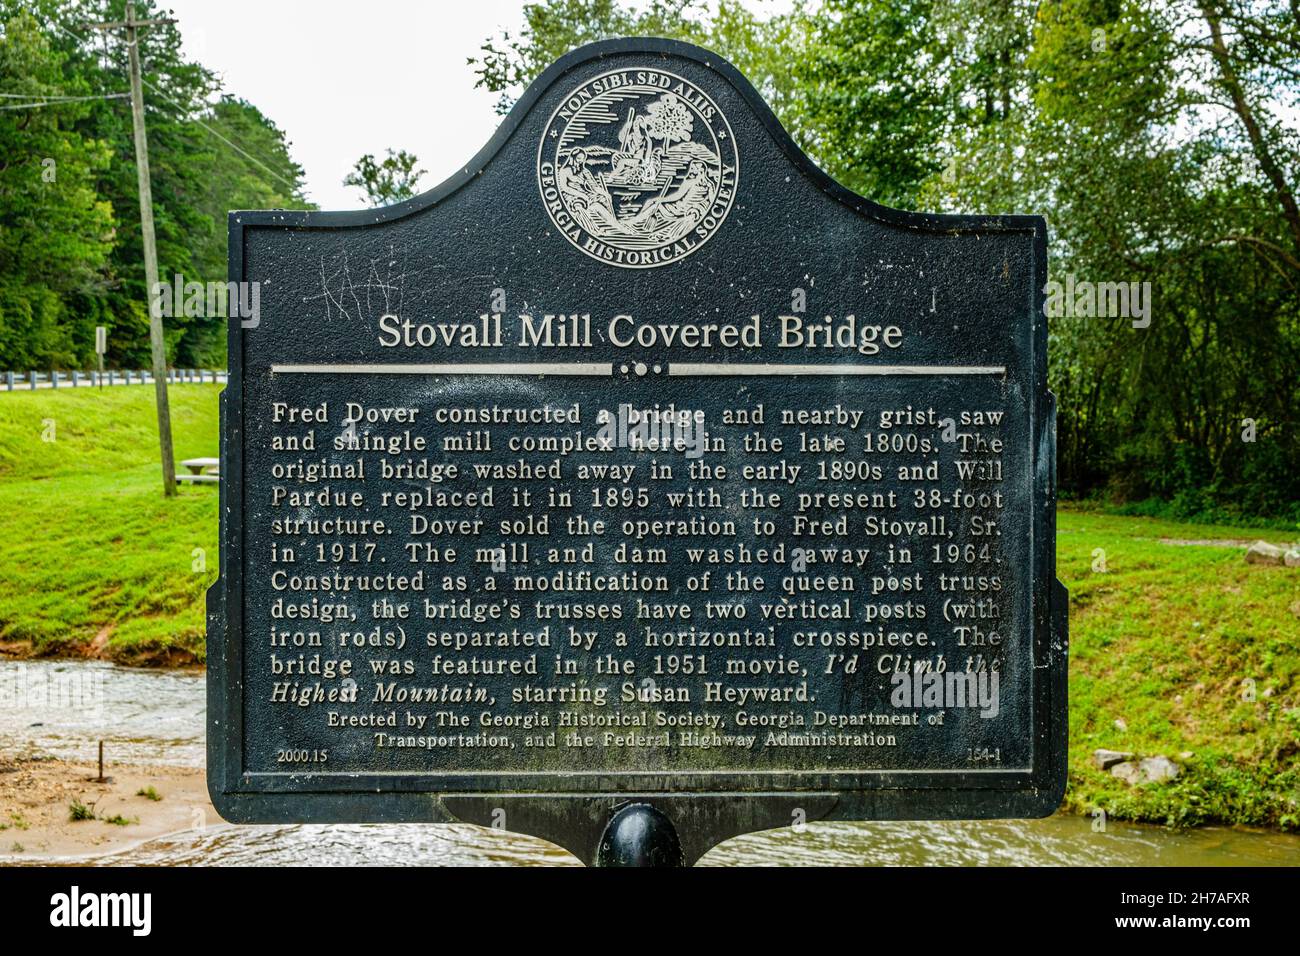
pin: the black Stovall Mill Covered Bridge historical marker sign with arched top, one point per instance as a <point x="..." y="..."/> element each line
<point x="639" y="461"/>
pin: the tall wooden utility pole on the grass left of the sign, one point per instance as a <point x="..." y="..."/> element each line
<point x="151" y="257"/>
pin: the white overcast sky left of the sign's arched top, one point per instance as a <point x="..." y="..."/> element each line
<point x="348" y="79"/>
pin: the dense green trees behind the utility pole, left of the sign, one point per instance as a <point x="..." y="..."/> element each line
<point x="71" y="248"/>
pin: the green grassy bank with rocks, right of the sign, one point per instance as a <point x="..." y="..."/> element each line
<point x="1164" y="642"/>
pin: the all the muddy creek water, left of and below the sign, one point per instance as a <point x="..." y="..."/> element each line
<point x="63" y="708"/>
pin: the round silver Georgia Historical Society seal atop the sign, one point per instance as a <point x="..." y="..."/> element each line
<point x="638" y="168"/>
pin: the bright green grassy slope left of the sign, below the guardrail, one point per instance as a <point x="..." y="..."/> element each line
<point x="93" y="560"/>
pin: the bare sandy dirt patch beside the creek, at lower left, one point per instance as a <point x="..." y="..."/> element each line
<point x="37" y="797"/>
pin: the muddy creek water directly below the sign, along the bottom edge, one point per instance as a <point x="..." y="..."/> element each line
<point x="1058" y="841"/>
